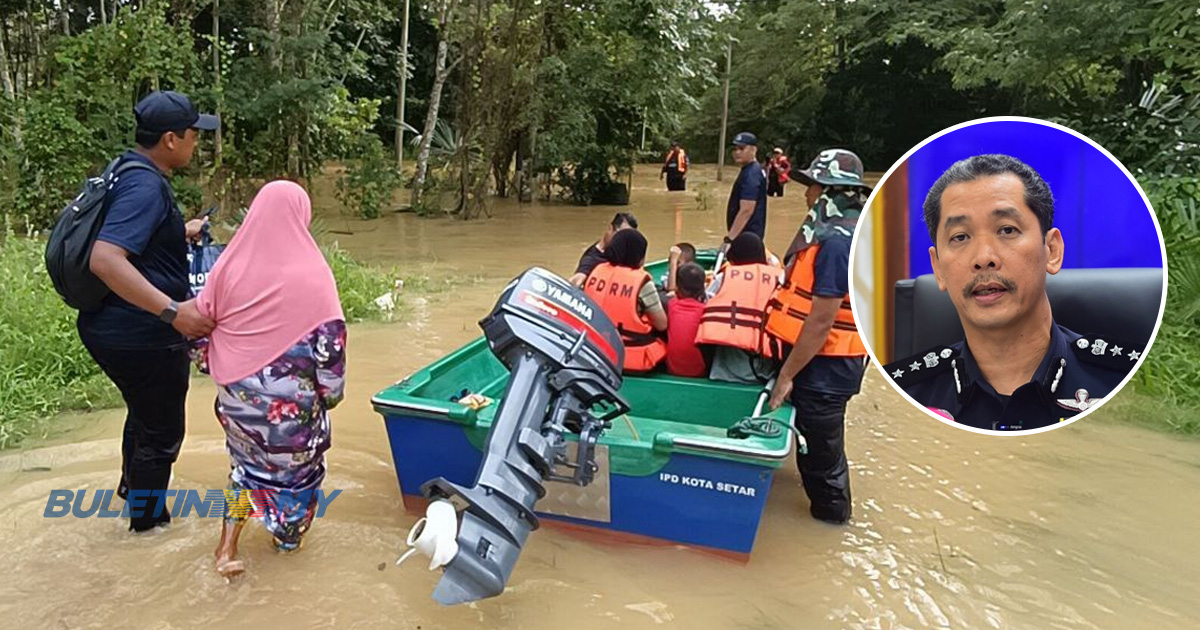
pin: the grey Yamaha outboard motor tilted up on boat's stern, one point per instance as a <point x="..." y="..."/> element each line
<point x="565" y="358"/>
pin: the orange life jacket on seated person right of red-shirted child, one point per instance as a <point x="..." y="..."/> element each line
<point x="737" y="315"/>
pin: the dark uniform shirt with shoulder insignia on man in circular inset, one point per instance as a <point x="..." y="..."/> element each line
<point x="1075" y="375"/>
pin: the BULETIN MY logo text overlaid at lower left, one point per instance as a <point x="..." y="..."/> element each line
<point x="205" y="503"/>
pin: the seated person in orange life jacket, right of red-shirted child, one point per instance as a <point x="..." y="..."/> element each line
<point x="735" y="316"/>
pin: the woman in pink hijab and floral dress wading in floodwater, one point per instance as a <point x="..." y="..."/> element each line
<point x="278" y="357"/>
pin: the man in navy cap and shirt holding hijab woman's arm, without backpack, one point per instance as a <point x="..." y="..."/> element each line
<point x="139" y="333"/>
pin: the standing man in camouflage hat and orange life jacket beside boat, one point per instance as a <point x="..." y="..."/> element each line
<point x="812" y="313"/>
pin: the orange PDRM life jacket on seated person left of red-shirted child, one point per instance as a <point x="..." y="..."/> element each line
<point x="615" y="290"/>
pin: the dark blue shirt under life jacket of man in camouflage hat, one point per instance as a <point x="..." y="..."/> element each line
<point x="832" y="375"/>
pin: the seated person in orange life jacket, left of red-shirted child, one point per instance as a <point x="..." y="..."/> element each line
<point x="628" y="296"/>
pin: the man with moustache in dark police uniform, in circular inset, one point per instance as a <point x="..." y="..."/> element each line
<point x="992" y="223"/>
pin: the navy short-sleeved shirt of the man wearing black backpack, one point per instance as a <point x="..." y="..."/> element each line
<point x="142" y="220"/>
